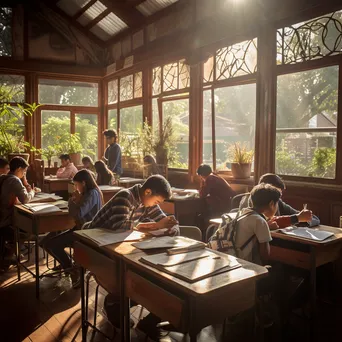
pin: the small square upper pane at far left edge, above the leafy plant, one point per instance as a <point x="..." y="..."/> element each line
<point x="12" y="88"/>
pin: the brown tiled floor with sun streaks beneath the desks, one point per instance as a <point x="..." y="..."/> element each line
<point x="56" y="316"/>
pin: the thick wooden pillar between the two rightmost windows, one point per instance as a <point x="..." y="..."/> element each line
<point x="266" y="102"/>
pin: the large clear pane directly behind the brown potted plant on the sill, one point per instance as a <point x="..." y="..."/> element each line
<point x="235" y="109"/>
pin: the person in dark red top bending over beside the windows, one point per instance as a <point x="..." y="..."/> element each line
<point x="215" y="190"/>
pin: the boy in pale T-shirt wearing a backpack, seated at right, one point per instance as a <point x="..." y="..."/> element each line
<point x="252" y="234"/>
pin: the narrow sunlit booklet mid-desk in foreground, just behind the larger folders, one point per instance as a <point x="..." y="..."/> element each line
<point x="167" y="242"/>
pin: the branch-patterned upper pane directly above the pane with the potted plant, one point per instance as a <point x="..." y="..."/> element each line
<point x="236" y="60"/>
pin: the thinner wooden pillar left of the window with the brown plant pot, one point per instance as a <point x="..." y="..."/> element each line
<point x="195" y="119"/>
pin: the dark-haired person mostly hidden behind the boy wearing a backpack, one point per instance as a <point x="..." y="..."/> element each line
<point x="286" y="215"/>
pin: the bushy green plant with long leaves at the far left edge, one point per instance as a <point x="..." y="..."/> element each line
<point x="12" y="141"/>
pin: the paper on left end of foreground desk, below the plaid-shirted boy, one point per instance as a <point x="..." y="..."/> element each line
<point x="104" y="237"/>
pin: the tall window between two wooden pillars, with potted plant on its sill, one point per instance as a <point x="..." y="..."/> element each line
<point x="229" y="112"/>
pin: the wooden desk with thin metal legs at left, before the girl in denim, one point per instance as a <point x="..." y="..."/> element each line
<point x="36" y="224"/>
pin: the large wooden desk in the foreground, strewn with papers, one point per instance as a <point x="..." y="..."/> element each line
<point x="184" y="305"/>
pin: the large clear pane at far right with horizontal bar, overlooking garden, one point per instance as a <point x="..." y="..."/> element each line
<point x="307" y="105"/>
